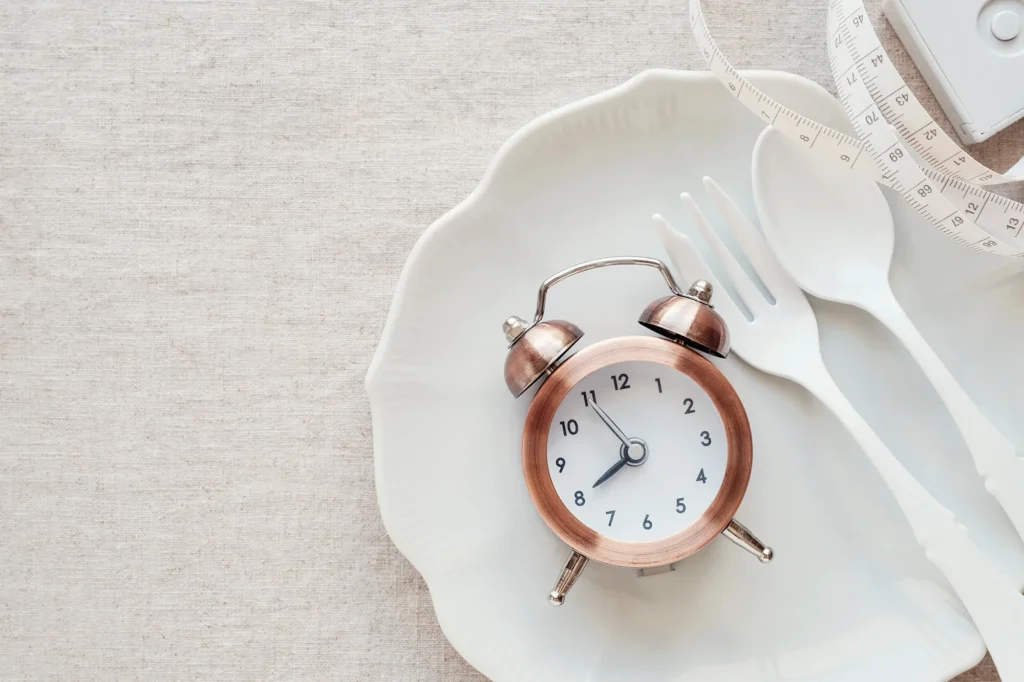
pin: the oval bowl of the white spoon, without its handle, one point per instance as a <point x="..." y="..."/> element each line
<point x="832" y="230"/>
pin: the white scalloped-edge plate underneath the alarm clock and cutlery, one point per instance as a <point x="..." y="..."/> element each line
<point x="849" y="598"/>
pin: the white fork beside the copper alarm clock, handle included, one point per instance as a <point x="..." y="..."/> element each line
<point x="783" y="340"/>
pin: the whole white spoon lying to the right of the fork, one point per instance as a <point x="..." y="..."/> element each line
<point x="833" y="233"/>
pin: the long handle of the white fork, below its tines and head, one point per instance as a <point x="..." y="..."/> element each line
<point x="994" y="604"/>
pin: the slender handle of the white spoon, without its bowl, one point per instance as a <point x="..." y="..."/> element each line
<point x="995" y="456"/>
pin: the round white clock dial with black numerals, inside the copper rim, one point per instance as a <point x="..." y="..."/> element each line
<point x="653" y="442"/>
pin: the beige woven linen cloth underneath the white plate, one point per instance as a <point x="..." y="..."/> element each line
<point x="204" y="209"/>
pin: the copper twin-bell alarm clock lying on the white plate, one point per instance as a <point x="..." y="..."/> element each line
<point x="636" y="451"/>
